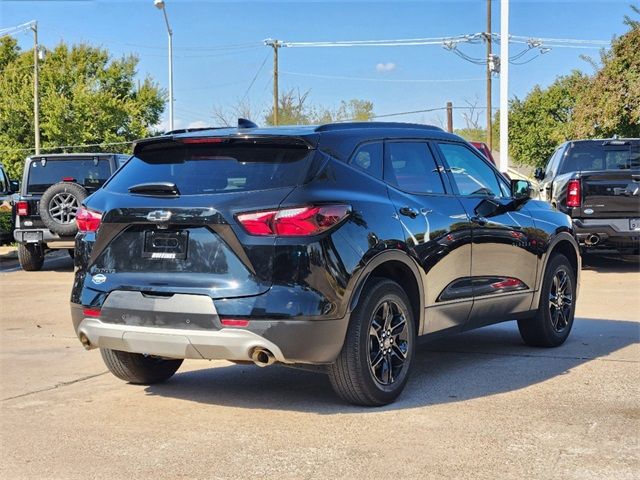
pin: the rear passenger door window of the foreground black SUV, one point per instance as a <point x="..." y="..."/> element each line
<point x="411" y="167"/>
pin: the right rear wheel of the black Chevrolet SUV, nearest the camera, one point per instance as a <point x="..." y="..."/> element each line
<point x="373" y="366"/>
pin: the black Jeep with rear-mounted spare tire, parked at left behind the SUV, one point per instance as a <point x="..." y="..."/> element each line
<point x="53" y="188"/>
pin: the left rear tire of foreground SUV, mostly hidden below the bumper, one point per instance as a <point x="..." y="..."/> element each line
<point x="138" y="368"/>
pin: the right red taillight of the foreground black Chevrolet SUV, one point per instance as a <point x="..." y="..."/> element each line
<point x="293" y="222"/>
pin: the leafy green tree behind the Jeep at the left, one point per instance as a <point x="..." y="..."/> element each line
<point x="86" y="97"/>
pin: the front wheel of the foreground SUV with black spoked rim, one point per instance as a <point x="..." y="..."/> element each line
<point x="552" y="322"/>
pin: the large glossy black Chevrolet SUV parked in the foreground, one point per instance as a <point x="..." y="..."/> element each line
<point x="334" y="245"/>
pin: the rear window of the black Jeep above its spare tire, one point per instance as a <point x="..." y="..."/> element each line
<point x="90" y="173"/>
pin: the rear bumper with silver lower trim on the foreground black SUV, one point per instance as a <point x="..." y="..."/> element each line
<point x="290" y="341"/>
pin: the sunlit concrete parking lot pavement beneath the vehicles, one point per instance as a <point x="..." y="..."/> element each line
<point x="479" y="405"/>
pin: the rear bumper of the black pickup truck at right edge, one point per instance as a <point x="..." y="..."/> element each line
<point x="609" y="232"/>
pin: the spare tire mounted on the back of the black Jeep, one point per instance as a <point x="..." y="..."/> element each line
<point x="59" y="205"/>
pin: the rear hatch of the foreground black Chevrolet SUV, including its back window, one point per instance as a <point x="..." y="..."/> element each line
<point x="169" y="223"/>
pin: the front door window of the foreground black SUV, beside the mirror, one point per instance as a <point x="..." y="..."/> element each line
<point x="470" y="173"/>
